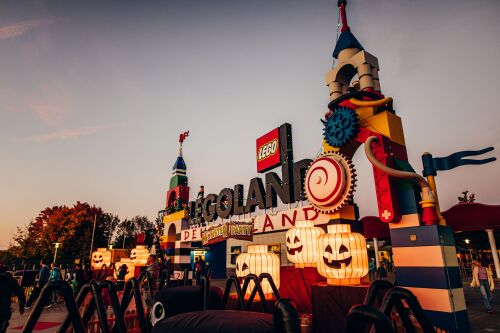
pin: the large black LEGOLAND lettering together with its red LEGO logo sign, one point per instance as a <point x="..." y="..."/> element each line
<point x="273" y="149"/>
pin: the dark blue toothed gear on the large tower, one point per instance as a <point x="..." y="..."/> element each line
<point x="341" y="127"/>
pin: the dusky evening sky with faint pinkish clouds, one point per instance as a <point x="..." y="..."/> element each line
<point x="94" y="94"/>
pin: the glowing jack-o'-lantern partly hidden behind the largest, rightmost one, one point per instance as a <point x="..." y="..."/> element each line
<point x="301" y="242"/>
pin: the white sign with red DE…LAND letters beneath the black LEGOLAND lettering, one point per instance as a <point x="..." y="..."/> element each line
<point x="261" y="224"/>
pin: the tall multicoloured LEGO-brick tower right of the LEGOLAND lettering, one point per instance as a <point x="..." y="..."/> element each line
<point x="424" y="255"/>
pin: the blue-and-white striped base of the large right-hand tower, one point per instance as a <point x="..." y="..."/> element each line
<point x="426" y="264"/>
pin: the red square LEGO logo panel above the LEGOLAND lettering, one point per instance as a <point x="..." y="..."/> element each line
<point x="268" y="151"/>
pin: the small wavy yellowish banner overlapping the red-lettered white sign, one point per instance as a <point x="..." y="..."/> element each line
<point x="226" y="230"/>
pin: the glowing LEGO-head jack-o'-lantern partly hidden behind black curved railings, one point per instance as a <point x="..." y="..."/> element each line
<point x="256" y="261"/>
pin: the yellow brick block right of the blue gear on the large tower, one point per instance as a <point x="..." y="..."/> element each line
<point x="387" y="124"/>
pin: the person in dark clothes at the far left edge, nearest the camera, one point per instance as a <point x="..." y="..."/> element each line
<point x="8" y="288"/>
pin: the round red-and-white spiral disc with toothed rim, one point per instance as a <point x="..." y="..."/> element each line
<point x="329" y="182"/>
